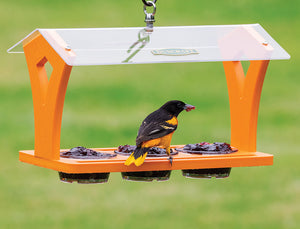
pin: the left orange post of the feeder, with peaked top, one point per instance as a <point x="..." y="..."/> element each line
<point x="48" y="95"/>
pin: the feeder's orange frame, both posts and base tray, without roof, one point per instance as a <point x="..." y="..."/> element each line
<point x="48" y="100"/>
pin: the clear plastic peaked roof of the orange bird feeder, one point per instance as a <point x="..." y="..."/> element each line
<point x="107" y="46"/>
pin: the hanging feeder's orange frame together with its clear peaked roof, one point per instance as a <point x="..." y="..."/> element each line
<point x="65" y="48"/>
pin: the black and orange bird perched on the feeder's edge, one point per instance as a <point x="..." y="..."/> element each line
<point x="157" y="129"/>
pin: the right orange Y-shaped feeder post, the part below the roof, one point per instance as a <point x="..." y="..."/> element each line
<point x="244" y="96"/>
